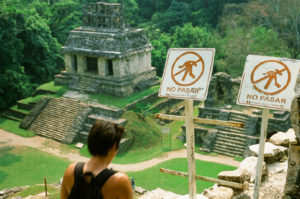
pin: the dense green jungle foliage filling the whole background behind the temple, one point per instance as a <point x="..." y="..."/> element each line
<point x="33" y="31"/>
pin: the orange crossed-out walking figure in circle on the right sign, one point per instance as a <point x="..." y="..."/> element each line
<point x="270" y="77"/>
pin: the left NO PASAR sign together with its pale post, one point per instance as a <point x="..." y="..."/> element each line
<point x="186" y="76"/>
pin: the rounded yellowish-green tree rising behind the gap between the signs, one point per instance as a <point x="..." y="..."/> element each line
<point x="233" y="49"/>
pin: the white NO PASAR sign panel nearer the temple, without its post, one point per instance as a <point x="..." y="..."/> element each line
<point x="187" y="73"/>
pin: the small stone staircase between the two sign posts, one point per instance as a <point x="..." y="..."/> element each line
<point x="232" y="141"/>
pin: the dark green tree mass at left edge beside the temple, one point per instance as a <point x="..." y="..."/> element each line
<point x="28" y="54"/>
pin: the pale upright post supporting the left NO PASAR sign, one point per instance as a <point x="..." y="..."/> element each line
<point x="190" y="141"/>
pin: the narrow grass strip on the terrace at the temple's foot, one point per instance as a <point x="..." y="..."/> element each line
<point x="122" y="102"/>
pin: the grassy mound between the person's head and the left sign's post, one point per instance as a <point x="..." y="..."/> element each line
<point x="147" y="135"/>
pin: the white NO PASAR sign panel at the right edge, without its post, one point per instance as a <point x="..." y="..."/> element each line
<point x="268" y="82"/>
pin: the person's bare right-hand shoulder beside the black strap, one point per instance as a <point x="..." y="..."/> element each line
<point x="119" y="182"/>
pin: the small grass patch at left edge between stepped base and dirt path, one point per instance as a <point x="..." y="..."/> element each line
<point x="13" y="126"/>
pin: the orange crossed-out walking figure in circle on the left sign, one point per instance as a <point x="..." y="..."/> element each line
<point x="187" y="69"/>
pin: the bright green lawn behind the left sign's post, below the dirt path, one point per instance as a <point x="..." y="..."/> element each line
<point x="151" y="178"/>
